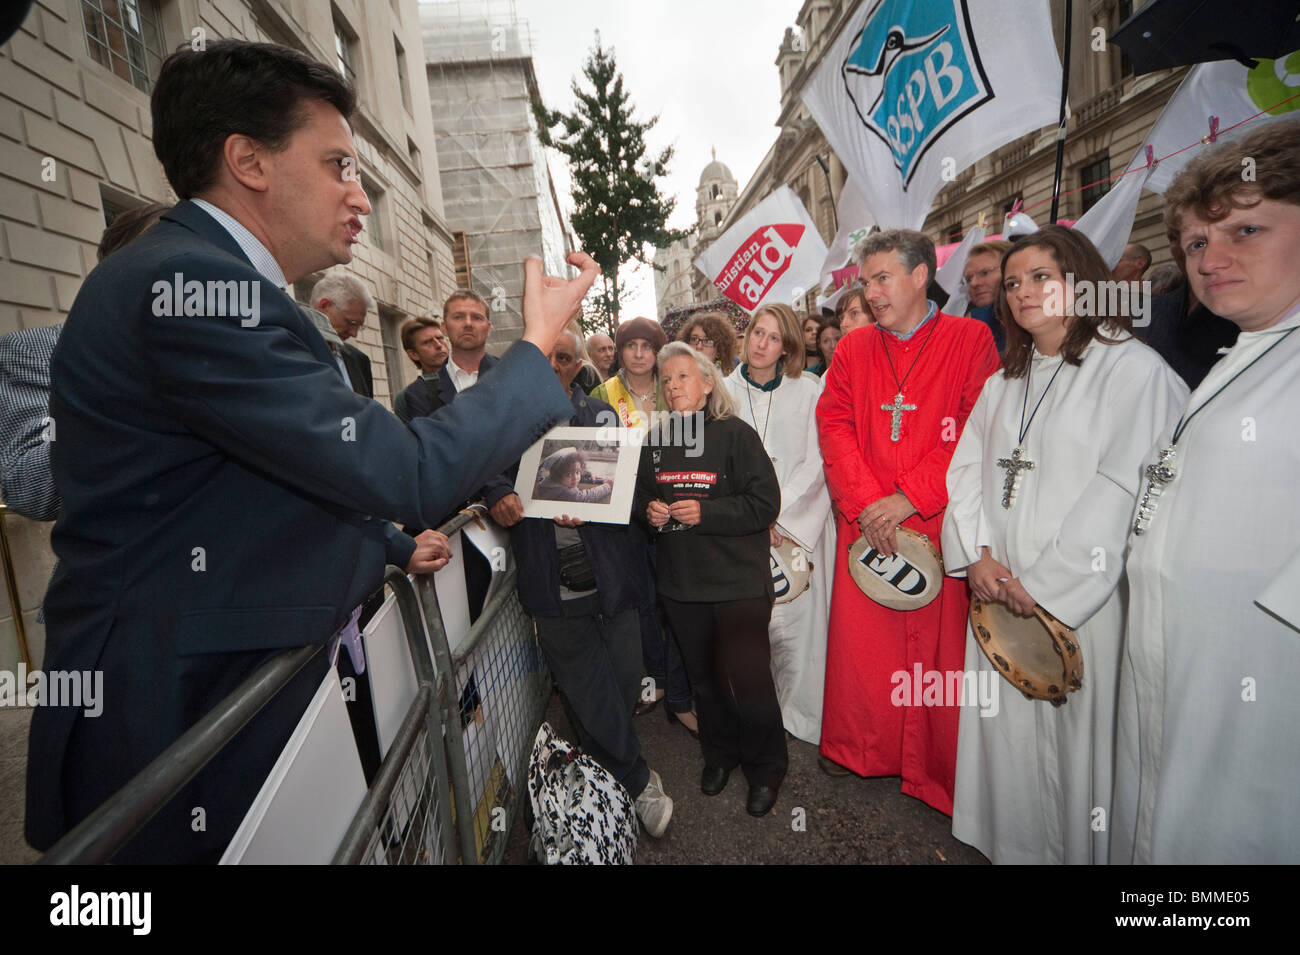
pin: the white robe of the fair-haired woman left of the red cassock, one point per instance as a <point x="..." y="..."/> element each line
<point x="799" y="628"/>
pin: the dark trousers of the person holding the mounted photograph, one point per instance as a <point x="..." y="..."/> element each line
<point x="597" y="665"/>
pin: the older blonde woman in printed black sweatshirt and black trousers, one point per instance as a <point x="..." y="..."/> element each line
<point x="709" y="490"/>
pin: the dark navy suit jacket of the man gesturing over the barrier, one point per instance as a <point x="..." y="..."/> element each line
<point x="219" y="485"/>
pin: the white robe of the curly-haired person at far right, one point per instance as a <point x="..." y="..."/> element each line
<point x="1208" y="754"/>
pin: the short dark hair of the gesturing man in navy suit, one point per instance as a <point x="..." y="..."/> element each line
<point x="232" y="88"/>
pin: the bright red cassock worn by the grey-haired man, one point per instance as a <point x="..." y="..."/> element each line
<point x="869" y="644"/>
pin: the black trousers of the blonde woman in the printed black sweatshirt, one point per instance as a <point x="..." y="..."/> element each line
<point x="729" y="659"/>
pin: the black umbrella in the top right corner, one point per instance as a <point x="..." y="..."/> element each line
<point x="1177" y="33"/>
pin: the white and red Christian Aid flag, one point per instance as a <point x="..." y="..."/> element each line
<point x="773" y="254"/>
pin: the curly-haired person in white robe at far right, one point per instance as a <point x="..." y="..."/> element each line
<point x="1208" y="769"/>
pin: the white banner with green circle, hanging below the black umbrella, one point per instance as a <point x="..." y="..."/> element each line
<point x="1214" y="97"/>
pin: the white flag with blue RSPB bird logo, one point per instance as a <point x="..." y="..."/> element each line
<point x="915" y="92"/>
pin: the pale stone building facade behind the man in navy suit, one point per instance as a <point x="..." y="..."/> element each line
<point x="76" y="149"/>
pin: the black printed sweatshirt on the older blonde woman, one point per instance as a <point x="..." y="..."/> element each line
<point x="726" y="555"/>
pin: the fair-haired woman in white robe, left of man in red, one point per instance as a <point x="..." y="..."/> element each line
<point x="775" y="398"/>
